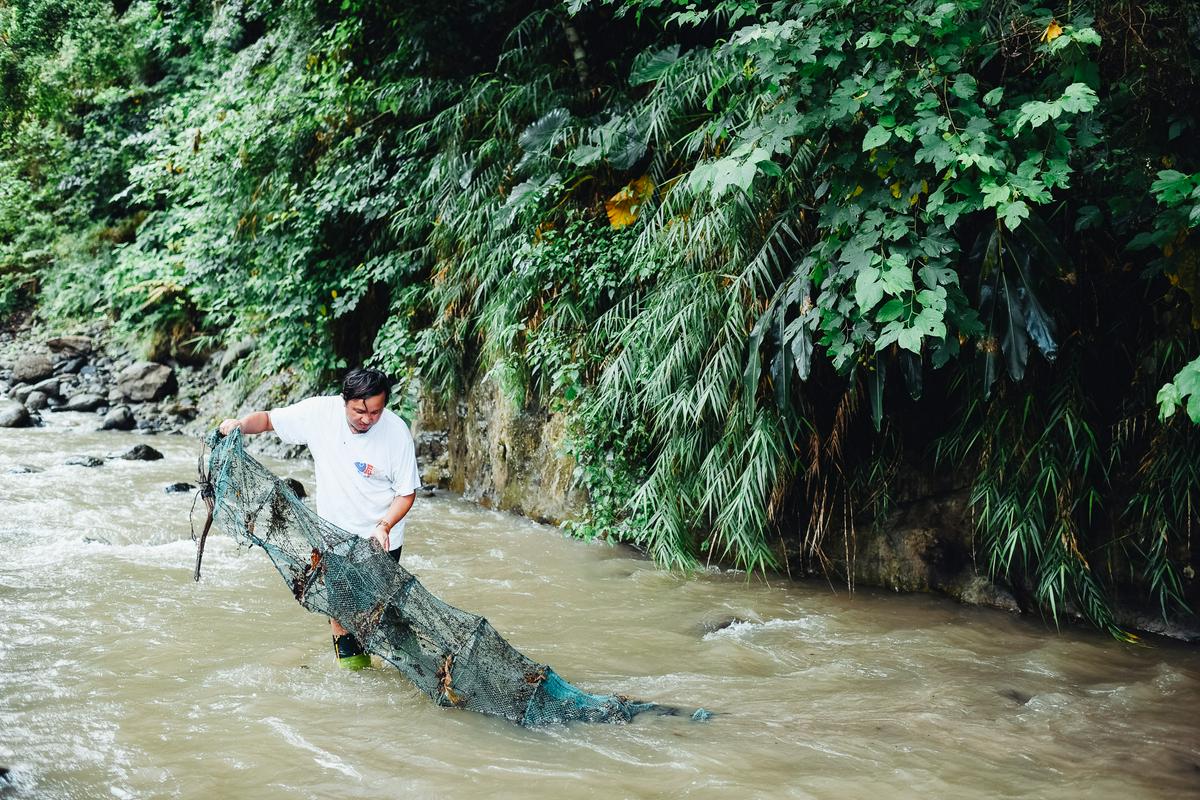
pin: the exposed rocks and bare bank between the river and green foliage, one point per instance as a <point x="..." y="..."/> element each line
<point x="488" y="450"/>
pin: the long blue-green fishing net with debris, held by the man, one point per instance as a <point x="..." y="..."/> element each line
<point x="454" y="657"/>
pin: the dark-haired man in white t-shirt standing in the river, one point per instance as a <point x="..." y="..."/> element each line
<point x="367" y="468"/>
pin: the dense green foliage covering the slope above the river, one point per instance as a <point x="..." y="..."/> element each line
<point x="770" y="258"/>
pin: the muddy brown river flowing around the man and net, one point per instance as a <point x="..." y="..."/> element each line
<point x="123" y="678"/>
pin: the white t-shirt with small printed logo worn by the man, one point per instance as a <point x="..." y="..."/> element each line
<point x="358" y="474"/>
